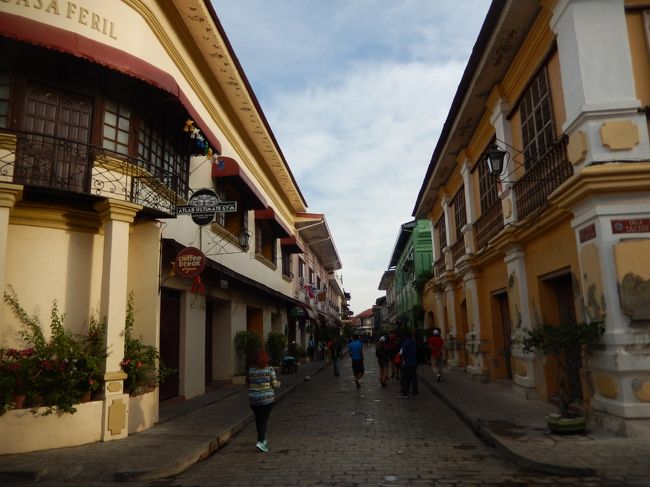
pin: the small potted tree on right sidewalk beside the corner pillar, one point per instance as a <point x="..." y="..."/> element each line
<point x="564" y="341"/>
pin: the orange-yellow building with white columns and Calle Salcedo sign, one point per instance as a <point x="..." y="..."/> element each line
<point x="562" y="234"/>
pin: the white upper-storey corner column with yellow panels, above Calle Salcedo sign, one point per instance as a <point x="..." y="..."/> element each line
<point x="603" y="112"/>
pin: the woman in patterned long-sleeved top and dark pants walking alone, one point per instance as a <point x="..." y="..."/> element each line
<point x="262" y="382"/>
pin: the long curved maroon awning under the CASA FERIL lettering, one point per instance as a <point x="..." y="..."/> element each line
<point x="41" y="34"/>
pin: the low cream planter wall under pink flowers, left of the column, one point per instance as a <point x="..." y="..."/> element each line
<point x="23" y="431"/>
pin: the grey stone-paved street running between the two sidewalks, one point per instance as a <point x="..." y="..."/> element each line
<point x="329" y="433"/>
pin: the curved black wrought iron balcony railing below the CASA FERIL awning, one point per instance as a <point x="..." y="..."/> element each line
<point x="61" y="164"/>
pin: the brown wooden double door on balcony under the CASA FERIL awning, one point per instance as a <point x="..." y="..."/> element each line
<point x="55" y="152"/>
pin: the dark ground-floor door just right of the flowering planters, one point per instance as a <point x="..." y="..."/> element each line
<point x="170" y="329"/>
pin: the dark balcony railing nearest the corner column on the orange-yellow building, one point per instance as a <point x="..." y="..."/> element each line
<point x="532" y="190"/>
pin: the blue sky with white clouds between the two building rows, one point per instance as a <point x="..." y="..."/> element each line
<point x="356" y="93"/>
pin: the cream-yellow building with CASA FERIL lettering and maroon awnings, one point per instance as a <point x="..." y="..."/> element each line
<point x="113" y="115"/>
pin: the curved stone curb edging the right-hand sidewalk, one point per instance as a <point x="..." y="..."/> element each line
<point x="492" y="440"/>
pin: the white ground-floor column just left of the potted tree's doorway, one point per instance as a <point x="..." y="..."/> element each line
<point x="518" y="302"/>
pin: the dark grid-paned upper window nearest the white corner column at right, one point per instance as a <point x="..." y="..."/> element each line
<point x="537" y="129"/>
